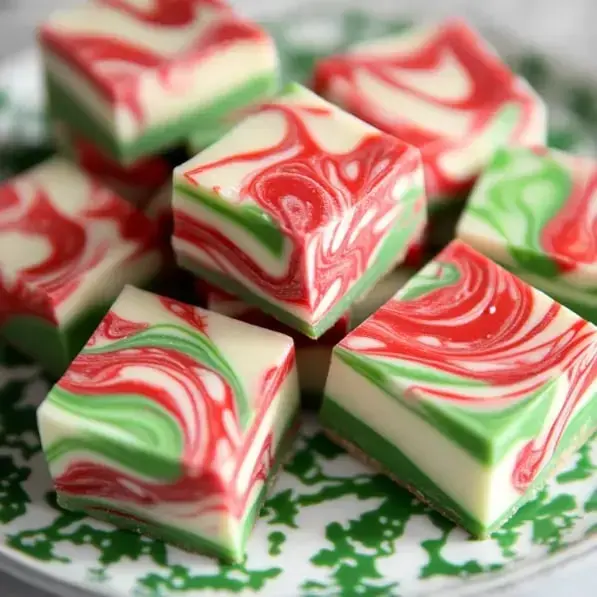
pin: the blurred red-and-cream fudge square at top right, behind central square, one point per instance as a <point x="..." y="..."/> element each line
<point x="442" y="89"/>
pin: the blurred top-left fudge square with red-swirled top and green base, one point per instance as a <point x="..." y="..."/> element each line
<point x="138" y="77"/>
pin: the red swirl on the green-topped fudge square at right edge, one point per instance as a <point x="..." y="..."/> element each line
<point x="571" y="236"/>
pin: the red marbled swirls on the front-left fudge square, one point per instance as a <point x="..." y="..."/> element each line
<point x="209" y="426"/>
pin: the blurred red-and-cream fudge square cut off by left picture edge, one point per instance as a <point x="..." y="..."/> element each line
<point x="66" y="303"/>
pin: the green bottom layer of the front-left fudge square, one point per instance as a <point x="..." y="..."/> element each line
<point x="228" y="549"/>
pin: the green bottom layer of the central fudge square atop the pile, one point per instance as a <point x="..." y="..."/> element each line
<point x="393" y="245"/>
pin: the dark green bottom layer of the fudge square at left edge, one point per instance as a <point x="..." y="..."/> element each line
<point x="53" y="347"/>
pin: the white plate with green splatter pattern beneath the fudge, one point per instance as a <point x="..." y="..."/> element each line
<point x="330" y="525"/>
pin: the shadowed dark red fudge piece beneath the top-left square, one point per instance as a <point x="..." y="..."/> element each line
<point x="136" y="183"/>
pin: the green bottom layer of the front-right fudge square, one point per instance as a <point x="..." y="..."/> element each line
<point x="392" y="461"/>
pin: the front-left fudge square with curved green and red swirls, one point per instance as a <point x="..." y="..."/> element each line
<point x="170" y="423"/>
